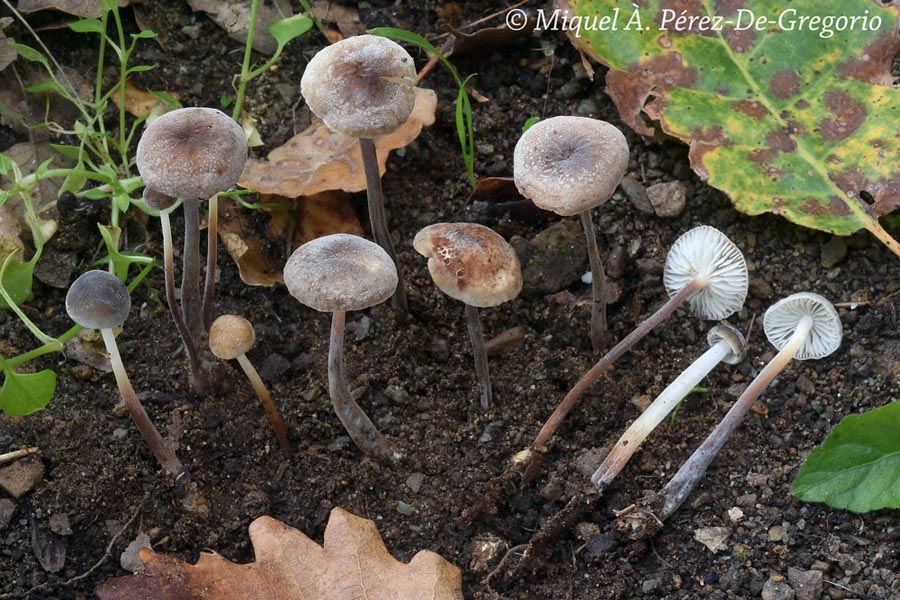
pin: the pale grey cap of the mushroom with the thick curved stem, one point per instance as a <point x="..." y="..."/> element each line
<point x="340" y="272"/>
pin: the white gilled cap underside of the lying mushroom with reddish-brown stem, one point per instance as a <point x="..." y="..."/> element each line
<point x="705" y="252"/>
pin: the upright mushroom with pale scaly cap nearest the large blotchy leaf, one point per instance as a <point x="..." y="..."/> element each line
<point x="569" y="165"/>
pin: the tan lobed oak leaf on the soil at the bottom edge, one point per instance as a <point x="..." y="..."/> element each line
<point x="354" y="564"/>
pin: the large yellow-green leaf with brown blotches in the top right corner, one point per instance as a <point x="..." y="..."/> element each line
<point x="788" y="118"/>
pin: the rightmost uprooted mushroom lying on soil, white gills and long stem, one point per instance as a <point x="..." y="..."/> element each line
<point x="802" y="326"/>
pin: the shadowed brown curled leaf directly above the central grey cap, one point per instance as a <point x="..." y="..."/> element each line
<point x="260" y="255"/>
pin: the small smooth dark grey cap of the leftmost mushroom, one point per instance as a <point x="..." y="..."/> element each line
<point x="98" y="300"/>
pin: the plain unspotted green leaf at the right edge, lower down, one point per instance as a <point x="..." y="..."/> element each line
<point x="858" y="466"/>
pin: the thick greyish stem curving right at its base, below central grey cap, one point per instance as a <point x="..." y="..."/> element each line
<point x="362" y="431"/>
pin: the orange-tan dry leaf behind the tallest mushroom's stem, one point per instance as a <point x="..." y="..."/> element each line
<point x="318" y="159"/>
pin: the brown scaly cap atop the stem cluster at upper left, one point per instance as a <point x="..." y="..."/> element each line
<point x="192" y="153"/>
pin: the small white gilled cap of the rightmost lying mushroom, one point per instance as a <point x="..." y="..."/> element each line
<point x="782" y="318"/>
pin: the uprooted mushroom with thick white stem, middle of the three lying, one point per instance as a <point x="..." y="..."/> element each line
<point x="726" y="344"/>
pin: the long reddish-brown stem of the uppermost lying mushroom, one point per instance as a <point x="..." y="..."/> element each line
<point x="610" y="357"/>
